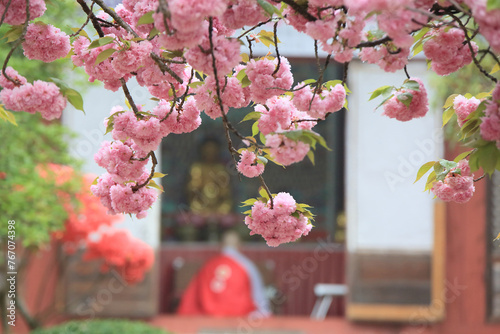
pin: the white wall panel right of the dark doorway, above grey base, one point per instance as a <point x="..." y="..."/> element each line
<point x="385" y="210"/>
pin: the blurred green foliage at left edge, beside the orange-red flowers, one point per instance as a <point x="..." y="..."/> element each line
<point x="33" y="201"/>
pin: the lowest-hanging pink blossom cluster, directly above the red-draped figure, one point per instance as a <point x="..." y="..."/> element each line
<point x="280" y="223"/>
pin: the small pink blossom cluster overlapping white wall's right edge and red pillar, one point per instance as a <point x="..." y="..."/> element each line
<point x="458" y="185"/>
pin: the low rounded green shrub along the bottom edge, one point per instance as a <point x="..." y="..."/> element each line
<point x="104" y="326"/>
